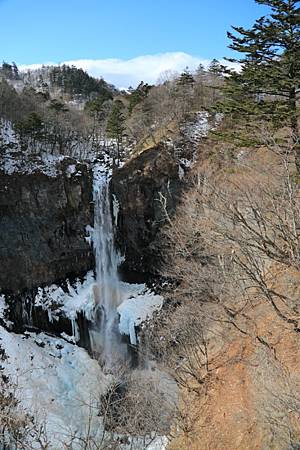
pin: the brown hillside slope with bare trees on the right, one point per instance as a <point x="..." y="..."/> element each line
<point x="248" y="396"/>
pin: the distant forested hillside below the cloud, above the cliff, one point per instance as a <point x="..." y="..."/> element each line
<point x="58" y="105"/>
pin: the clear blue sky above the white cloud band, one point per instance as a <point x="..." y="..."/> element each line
<point x="41" y="31"/>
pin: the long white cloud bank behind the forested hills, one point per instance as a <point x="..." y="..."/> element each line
<point x="124" y="73"/>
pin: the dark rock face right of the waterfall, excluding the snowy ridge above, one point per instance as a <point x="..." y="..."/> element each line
<point x="147" y="187"/>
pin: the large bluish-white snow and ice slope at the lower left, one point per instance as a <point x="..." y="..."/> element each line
<point x="57" y="382"/>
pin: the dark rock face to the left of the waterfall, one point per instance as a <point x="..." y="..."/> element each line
<point x="42" y="228"/>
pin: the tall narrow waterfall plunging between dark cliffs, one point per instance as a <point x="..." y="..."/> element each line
<point x="106" y="340"/>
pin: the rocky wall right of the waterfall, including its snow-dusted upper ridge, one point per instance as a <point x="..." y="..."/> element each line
<point x="148" y="189"/>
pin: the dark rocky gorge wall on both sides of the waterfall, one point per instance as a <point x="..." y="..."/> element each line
<point x="47" y="205"/>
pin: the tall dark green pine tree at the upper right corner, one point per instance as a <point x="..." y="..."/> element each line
<point x="267" y="86"/>
